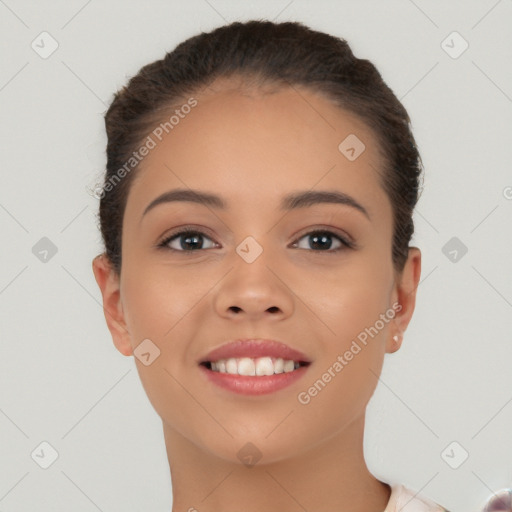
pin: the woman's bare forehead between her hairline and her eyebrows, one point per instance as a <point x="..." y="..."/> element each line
<point x="253" y="146"/>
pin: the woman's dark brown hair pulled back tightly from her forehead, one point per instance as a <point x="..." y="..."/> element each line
<point x="273" y="54"/>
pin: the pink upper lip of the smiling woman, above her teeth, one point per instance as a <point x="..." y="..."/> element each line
<point x="254" y="347"/>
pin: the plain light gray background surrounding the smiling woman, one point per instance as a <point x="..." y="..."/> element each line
<point x="61" y="379"/>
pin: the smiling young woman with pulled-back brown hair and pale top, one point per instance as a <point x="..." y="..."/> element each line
<point x="256" y="214"/>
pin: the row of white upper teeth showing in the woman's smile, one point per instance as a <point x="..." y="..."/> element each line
<point x="257" y="366"/>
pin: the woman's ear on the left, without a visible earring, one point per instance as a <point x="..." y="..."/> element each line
<point x="108" y="281"/>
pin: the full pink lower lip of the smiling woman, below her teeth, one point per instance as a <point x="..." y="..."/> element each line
<point x="252" y="385"/>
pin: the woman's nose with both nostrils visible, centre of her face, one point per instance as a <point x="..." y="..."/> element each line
<point x="254" y="291"/>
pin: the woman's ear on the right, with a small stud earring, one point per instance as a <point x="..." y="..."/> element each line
<point x="404" y="293"/>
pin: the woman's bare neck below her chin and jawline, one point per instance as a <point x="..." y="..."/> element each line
<point x="331" y="476"/>
